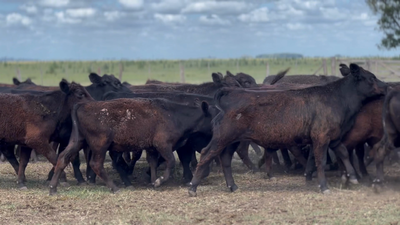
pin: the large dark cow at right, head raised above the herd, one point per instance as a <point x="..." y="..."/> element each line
<point x="318" y="115"/>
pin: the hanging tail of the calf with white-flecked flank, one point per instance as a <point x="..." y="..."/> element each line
<point x="72" y="148"/>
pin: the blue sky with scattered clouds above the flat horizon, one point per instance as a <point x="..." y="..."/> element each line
<point x="186" y="29"/>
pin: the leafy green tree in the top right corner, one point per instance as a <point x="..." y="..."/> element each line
<point x="389" y="21"/>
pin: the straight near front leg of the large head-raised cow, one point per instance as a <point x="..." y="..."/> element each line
<point x="320" y="149"/>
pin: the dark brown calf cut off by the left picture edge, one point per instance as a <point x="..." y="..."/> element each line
<point x="33" y="120"/>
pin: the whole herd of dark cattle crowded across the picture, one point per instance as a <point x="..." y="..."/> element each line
<point x="216" y="119"/>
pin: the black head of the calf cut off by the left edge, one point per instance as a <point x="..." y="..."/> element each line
<point x="75" y="93"/>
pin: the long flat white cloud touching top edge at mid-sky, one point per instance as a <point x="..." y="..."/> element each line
<point x="216" y="7"/>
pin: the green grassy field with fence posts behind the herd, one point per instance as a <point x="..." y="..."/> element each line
<point x="137" y="72"/>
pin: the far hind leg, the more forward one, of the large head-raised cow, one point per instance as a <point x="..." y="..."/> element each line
<point x="226" y="162"/>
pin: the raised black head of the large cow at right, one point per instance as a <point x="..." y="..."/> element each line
<point x="367" y="83"/>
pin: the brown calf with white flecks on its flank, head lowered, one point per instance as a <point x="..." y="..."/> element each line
<point x="131" y="124"/>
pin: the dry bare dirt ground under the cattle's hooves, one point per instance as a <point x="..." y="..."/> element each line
<point x="286" y="200"/>
